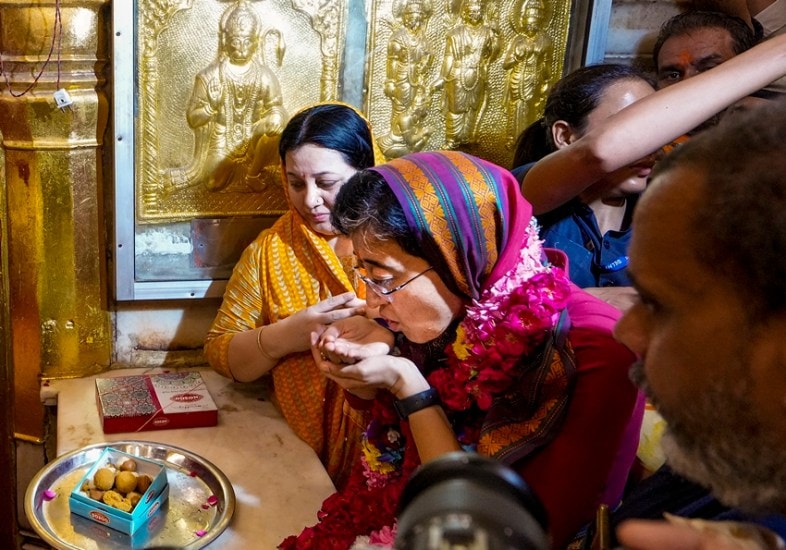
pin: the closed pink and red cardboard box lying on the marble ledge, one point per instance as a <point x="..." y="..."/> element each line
<point x="154" y="402"/>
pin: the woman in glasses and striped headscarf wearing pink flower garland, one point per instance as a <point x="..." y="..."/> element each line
<point x="496" y="350"/>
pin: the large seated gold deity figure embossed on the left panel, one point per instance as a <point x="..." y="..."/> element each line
<point x="236" y="111"/>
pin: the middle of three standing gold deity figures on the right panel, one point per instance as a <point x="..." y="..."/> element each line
<point x="471" y="47"/>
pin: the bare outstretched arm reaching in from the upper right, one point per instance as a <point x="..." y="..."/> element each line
<point x="650" y="123"/>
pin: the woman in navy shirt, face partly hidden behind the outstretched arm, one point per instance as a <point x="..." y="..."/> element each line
<point x="593" y="228"/>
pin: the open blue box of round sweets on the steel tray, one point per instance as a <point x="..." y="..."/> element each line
<point x="121" y="502"/>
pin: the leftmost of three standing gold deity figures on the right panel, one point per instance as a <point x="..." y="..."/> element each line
<point x="407" y="85"/>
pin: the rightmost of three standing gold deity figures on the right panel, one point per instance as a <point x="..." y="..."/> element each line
<point x="528" y="64"/>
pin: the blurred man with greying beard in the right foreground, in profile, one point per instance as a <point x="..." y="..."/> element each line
<point x="707" y="258"/>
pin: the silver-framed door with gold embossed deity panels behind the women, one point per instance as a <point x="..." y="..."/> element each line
<point x="202" y="89"/>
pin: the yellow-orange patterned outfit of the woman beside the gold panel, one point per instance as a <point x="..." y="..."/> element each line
<point x="288" y="268"/>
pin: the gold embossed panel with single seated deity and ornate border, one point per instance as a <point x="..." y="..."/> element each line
<point x="216" y="86"/>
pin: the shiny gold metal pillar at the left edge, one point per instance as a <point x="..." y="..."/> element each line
<point x="60" y="324"/>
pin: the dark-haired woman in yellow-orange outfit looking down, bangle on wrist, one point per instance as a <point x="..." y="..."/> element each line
<point x="296" y="276"/>
